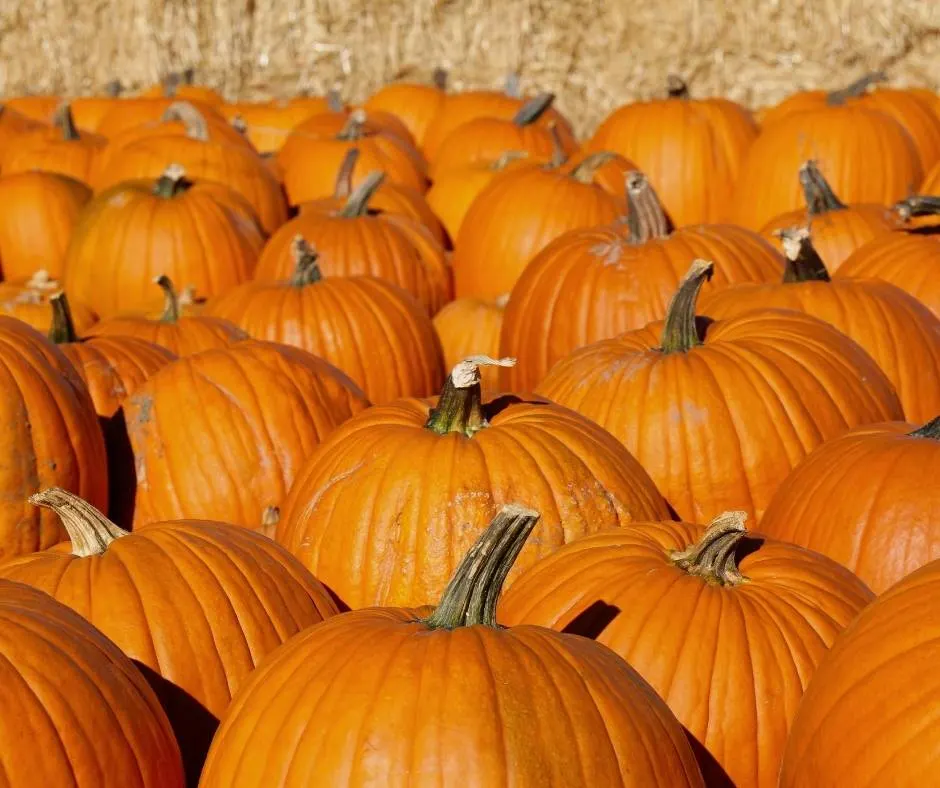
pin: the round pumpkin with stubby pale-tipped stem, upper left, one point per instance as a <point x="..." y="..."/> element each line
<point x="140" y="229"/>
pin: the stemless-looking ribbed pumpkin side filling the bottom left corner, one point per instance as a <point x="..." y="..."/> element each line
<point x="75" y="710"/>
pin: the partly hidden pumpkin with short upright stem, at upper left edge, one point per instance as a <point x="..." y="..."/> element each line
<point x="61" y="149"/>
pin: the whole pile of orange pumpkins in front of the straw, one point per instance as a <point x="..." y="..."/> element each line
<point x="417" y="442"/>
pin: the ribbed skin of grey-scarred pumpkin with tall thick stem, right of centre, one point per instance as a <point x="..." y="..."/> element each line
<point x="593" y="284"/>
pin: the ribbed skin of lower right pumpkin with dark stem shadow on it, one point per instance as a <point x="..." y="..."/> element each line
<point x="731" y="662"/>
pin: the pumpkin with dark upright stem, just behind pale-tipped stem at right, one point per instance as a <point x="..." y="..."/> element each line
<point x="838" y="229"/>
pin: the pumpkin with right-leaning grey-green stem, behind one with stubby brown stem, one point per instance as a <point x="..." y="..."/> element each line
<point x="353" y="242"/>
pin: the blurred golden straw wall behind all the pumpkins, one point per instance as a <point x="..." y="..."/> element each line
<point x="593" y="53"/>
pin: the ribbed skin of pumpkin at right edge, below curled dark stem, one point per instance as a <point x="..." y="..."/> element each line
<point x="910" y="262"/>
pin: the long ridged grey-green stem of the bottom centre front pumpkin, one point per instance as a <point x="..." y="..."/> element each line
<point x="472" y="593"/>
